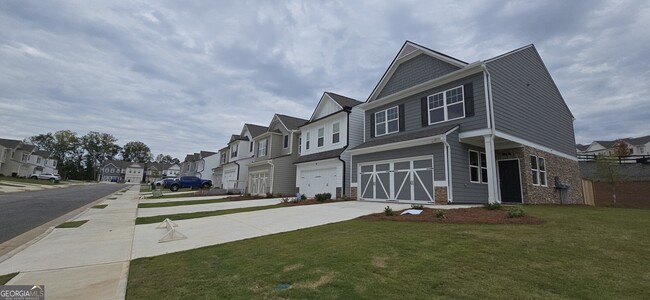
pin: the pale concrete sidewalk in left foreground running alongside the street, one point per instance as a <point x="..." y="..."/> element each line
<point x="74" y="262"/>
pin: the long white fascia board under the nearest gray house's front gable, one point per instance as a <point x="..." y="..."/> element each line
<point x="472" y="68"/>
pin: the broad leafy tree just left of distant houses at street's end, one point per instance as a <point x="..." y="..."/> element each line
<point x="99" y="147"/>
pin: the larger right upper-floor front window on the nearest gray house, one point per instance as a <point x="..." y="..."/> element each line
<point x="446" y="105"/>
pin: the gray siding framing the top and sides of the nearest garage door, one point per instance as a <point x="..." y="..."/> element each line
<point x="437" y="150"/>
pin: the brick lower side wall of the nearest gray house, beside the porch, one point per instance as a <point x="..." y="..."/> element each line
<point x="568" y="171"/>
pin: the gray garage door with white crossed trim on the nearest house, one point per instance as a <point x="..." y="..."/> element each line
<point x="404" y="180"/>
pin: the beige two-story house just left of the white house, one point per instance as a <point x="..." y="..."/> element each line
<point x="272" y="170"/>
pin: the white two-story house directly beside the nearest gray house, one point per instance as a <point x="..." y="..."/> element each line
<point x="324" y="164"/>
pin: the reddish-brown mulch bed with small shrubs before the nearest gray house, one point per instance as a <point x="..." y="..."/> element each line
<point x="477" y="215"/>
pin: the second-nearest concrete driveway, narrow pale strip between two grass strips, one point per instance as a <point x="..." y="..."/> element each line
<point x="158" y="211"/>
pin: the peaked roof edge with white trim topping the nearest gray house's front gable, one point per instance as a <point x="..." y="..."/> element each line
<point x="409" y="50"/>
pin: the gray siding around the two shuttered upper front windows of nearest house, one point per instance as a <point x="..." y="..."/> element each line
<point x="412" y="108"/>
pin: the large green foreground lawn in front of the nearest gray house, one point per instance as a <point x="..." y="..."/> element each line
<point x="580" y="252"/>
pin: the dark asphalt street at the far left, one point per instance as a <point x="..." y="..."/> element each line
<point x="23" y="211"/>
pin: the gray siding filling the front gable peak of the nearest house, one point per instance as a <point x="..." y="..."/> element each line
<point x="417" y="70"/>
